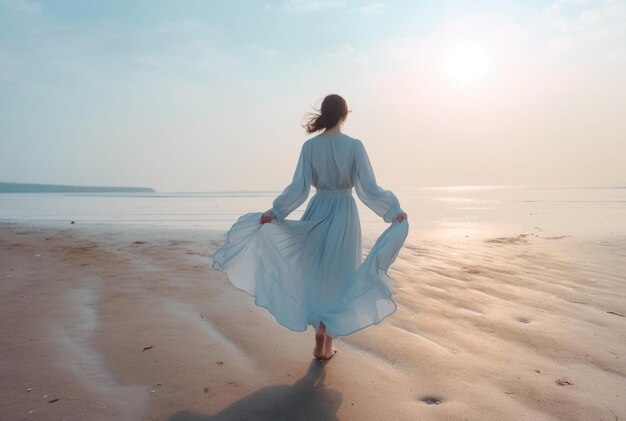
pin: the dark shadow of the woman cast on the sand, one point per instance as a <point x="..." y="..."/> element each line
<point x="307" y="399"/>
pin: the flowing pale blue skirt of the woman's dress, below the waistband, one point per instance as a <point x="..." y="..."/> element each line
<point x="310" y="271"/>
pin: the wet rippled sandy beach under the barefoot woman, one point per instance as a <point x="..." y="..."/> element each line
<point x="103" y="322"/>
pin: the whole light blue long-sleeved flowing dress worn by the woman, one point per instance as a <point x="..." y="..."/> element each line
<point x="310" y="271"/>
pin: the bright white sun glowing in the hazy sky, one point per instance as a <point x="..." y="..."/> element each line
<point x="466" y="61"/>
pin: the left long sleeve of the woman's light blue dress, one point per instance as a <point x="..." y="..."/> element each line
<point x="295" y="193"/>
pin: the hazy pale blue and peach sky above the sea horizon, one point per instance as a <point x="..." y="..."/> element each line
<point x="210" y="95"/>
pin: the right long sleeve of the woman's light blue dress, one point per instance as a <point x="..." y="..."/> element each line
<point x="383" y="202"/>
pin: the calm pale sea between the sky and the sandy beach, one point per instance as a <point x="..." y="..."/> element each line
<point x="465" y="211"/>
